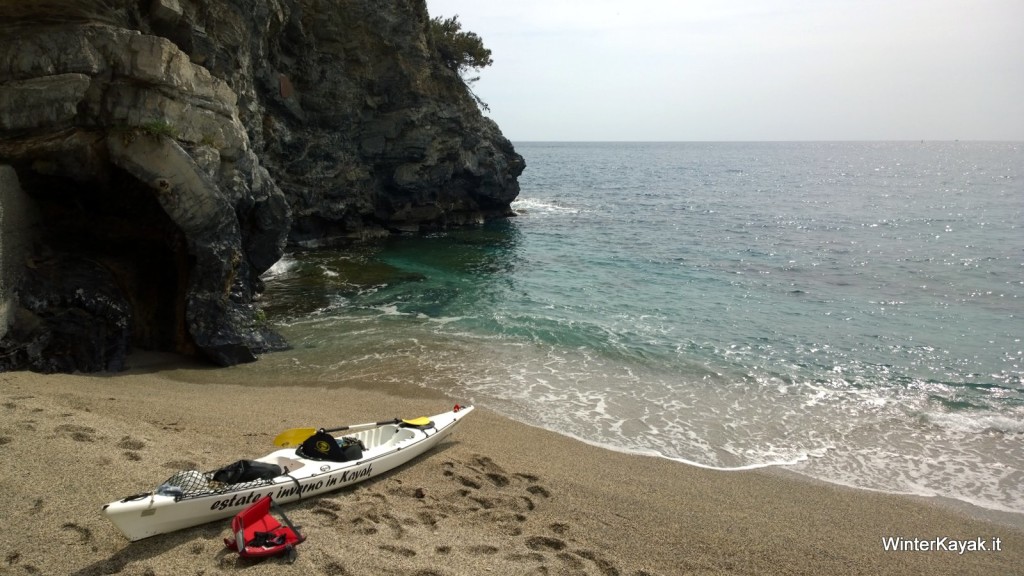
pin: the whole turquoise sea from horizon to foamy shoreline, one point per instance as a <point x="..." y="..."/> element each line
<point x="854" y="312"/>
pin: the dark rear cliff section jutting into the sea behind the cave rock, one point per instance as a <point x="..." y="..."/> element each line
<point x="355" y="116"/>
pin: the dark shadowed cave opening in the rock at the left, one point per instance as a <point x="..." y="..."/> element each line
<point x="118" y="224"/>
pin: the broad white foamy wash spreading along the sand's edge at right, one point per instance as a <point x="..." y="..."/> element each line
<point x="830" y="439"/>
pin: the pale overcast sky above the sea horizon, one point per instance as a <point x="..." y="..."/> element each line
<point x="750" y="70"/>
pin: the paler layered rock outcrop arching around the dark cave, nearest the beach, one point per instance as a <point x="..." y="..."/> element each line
<point x="151" y="199"/>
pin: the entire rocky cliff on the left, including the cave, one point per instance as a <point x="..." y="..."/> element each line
<point x="170" y="150"/>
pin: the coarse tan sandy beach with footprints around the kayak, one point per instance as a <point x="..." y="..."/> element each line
<point x="498" y="498"/>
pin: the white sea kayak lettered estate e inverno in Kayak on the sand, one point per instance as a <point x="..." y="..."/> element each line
<point x="192" y="498"/>
